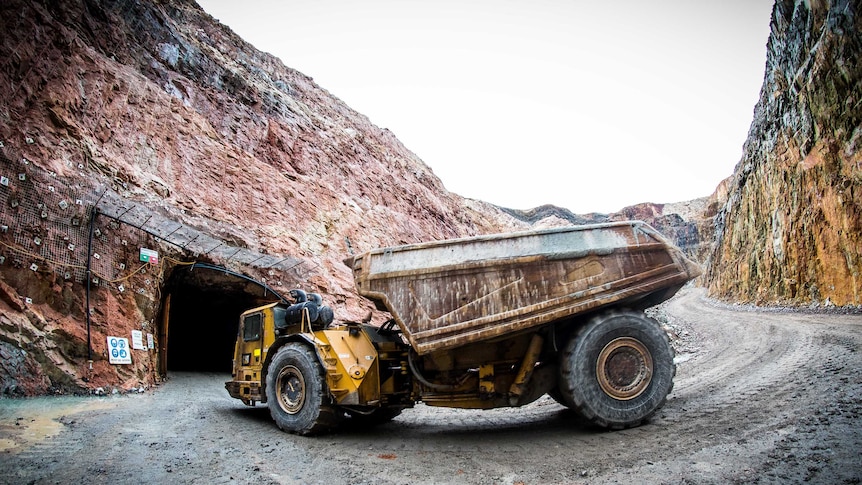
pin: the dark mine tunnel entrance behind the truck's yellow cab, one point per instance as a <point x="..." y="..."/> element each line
<point x="200" y="314"/>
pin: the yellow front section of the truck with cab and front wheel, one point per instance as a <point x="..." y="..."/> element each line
<point x="287" y="355"/>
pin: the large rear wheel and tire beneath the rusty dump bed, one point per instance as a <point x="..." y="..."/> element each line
<point x="617" y="370"/>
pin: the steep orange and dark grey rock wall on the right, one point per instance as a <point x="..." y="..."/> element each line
<point x="791" y="229"/>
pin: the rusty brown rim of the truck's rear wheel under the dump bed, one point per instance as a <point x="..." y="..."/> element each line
<point x="624" y="368"/>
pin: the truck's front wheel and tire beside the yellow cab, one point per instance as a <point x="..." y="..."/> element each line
<point x="296" y="392"/>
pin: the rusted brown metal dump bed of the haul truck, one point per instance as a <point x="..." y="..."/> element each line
<point x="446" y="294"/>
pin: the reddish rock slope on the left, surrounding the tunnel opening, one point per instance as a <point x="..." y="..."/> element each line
<point x="190" y="142"/>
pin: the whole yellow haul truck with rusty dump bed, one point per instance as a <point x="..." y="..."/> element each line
<point x="481" y="322"/>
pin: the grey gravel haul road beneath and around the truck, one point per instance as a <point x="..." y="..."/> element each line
<point x="760" y="397"/>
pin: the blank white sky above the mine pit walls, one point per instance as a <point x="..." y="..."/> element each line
<point x="588" y="105"/>
